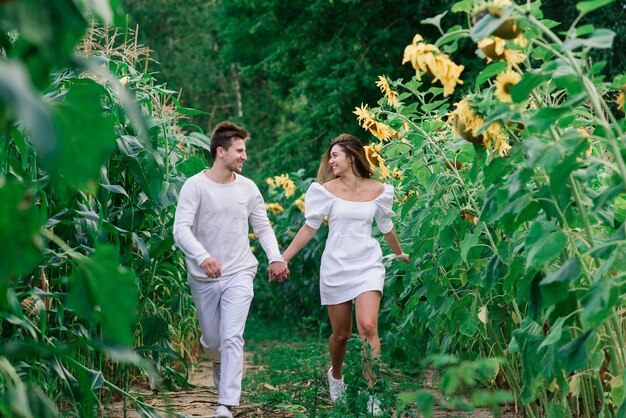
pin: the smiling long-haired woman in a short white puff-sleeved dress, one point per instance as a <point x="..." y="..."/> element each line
<point x="352" y="271"/>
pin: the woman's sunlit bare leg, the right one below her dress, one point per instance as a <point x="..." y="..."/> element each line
<point x="367" y="307"/>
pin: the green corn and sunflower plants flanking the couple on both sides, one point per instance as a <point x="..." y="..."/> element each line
<point x="510" y="200"/>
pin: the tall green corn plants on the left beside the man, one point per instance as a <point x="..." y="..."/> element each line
<point x="93" y="152"/>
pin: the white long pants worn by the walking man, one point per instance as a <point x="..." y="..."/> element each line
<point x="222" y="306"/>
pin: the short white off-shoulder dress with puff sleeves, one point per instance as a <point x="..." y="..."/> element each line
<point x="352" y="260"/>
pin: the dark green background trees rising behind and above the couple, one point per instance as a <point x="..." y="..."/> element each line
<point x="292" y="72"/>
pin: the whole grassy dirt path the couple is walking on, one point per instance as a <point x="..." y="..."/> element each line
<point x="285" y="376"/>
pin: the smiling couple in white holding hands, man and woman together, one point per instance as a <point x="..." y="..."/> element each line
<point x="214" y="210"/>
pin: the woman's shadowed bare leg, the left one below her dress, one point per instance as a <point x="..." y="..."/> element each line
<point x="341" y="324"/>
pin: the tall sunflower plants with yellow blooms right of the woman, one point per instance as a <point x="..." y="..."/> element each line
<point x="513" y="205"/>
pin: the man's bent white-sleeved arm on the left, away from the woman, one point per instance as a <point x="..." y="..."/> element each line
<point x="186" y="209"/>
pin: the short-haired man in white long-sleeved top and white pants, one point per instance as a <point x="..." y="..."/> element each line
<point x="211" y="228"/>
